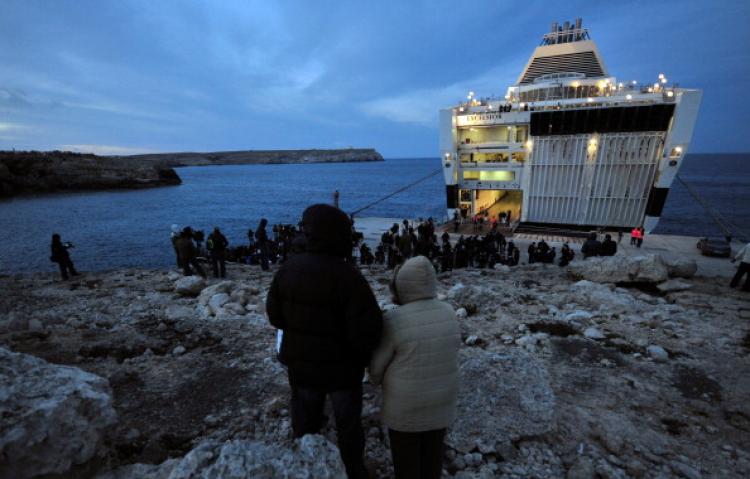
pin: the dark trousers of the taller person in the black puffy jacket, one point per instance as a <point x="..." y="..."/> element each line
<point x="307" y="418"/>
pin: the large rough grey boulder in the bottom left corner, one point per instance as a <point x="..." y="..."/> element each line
<point x="53" y="417"/>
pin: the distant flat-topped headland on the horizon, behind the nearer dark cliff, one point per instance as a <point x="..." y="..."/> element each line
<point x="263" y="157"/>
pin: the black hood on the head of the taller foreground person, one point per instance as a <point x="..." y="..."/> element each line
<point x="327" y="230"/>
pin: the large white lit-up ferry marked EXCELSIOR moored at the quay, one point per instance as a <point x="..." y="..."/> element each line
<point x="568" y="146"/>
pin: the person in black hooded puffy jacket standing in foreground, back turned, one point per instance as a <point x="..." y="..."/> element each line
<point x="331" y="324"/>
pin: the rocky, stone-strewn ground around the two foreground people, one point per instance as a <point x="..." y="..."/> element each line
<point x="564" y="374"/>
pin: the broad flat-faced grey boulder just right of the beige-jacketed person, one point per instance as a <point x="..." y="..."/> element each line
<point x="503" y="396"/>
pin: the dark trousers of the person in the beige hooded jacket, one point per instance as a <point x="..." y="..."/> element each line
<point x="417" y="454"/>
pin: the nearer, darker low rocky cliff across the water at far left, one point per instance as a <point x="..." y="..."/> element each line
<point x="41" y="172"/>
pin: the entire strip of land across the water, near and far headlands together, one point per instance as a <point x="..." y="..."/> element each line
<point x="24" y="172"/>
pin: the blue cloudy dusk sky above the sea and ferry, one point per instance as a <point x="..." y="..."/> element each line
<point x="128" y="76"/>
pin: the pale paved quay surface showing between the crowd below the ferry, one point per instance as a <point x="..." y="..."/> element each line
<point x="668" y="246"/>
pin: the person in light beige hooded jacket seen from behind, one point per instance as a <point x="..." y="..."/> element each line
<point x="417" y="364"/>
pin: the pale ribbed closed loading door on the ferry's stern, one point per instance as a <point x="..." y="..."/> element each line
<point x="592" y="179"/>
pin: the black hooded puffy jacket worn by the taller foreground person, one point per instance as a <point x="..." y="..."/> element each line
<point x="330" y="318"/>
